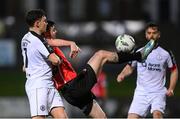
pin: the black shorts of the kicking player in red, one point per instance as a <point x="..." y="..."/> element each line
<point x="78" y="91"/>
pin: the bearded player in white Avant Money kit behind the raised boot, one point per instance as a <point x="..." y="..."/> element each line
<point x="150" y="91"/>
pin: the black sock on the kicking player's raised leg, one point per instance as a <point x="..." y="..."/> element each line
<point x="125" y="57"/>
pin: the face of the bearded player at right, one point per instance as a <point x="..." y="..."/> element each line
<point x="152" y="33"/>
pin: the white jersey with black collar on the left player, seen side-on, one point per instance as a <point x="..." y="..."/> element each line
<point x="35" y="57"/>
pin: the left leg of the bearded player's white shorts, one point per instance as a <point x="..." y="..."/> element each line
<point x="140" y="105"/>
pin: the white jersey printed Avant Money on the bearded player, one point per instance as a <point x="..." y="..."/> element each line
<point x="151" y="75"/>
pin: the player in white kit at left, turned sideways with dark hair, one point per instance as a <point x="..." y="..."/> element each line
<point x="44" y="99"/>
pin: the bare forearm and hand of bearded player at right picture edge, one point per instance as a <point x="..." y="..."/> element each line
<point x="173" y="81"/>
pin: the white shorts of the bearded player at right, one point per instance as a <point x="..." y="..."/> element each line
<point x="142" y="103"/>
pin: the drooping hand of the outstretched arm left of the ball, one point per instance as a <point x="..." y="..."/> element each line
<point x="74" y="50"/>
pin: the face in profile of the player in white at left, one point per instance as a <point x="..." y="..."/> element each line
<point x="42" y="24"/>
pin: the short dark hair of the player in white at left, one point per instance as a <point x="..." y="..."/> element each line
<point x="34" y="15"/>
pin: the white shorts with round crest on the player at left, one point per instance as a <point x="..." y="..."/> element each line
<point x="42" y="100"/>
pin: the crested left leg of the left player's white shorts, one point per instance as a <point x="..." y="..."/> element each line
<point x="38" y="101"/>
